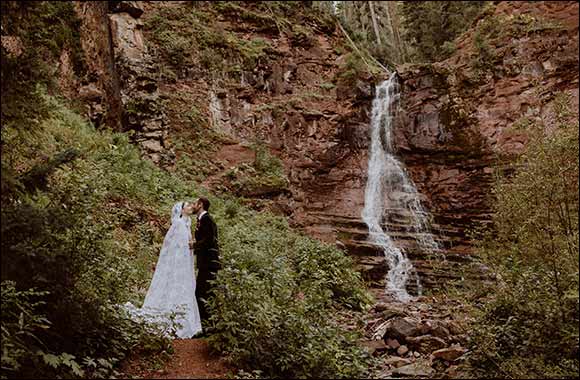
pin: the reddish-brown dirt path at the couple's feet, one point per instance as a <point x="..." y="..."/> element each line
<point x="192" y="359"/>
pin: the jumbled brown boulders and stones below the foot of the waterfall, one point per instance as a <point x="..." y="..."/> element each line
<point x="423" y="339"/>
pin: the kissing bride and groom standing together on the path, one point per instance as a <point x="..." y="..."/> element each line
<point x="176" y="299"/>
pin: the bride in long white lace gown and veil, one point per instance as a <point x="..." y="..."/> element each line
<point x="170" y="302"/>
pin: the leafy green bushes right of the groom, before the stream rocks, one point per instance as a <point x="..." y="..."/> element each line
<point x="275" y="298"/>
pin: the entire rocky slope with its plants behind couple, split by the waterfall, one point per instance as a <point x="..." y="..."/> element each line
<point x="200" y="82"/>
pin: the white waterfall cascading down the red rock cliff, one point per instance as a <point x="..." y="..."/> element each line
<point x="390" y="188"/>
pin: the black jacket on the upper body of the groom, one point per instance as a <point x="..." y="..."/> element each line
<point x="206" y="244"/>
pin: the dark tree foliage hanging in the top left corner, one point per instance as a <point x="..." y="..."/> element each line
<point x="44" y="29"/>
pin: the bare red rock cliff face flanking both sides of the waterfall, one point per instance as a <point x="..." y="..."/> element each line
<point x="459" y="119"/>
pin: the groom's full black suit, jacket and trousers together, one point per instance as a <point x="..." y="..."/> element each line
<point x="206" y="250"/>
